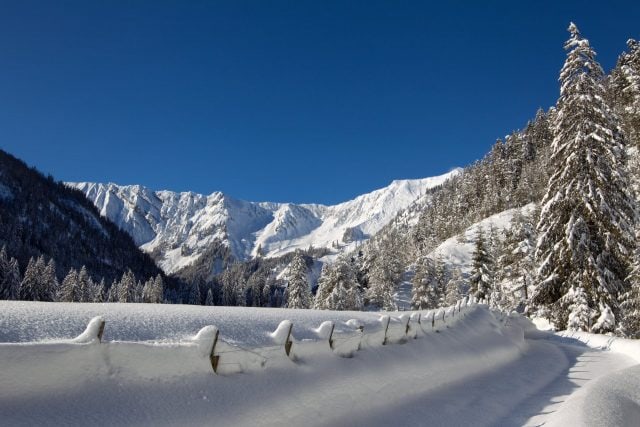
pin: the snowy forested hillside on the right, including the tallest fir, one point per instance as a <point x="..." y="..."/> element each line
<point x="573" y="259"/>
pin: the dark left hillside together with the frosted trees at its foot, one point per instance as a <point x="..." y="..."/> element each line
<point x="48" y="230"/>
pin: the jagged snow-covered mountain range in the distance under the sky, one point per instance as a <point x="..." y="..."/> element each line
<point x="177" y="228"/>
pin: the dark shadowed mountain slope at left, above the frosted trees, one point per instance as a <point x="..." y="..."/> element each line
<point x="39" y="216"/>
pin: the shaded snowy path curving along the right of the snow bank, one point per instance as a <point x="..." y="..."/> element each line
<point x="546" y="386"/>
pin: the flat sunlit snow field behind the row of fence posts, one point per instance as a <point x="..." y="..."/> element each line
<point x="23" y="321"/>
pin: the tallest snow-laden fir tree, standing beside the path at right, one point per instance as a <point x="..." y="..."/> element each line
<point x="585" y="221"/>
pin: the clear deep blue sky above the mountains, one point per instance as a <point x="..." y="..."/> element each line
<point x="287" y="101"/>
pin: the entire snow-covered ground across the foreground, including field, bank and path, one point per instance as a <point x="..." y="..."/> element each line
<point x="477" y="368"/>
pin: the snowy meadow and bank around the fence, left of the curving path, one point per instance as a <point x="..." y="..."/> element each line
<point x="171" y="382"/>
